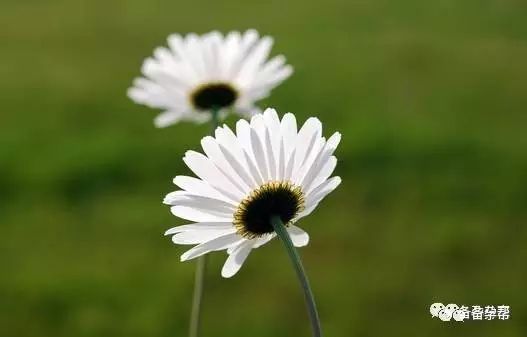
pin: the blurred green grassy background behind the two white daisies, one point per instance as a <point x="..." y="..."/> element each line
<point x="430" y="98"/>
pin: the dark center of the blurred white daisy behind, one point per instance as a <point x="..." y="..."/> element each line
<point x="214" y="96"/>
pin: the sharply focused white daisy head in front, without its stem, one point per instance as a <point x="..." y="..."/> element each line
<point x="266" y="169"/>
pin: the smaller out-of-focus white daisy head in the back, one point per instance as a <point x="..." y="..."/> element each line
<point x="196" y="75"/>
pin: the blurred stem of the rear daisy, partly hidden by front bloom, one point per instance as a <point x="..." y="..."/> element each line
<point x="201" y="267"/>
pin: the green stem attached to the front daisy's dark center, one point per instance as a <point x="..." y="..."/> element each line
<point x="281" y="231"/>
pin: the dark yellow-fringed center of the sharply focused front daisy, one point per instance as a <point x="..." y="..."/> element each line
<point x="253" y="216"/>
